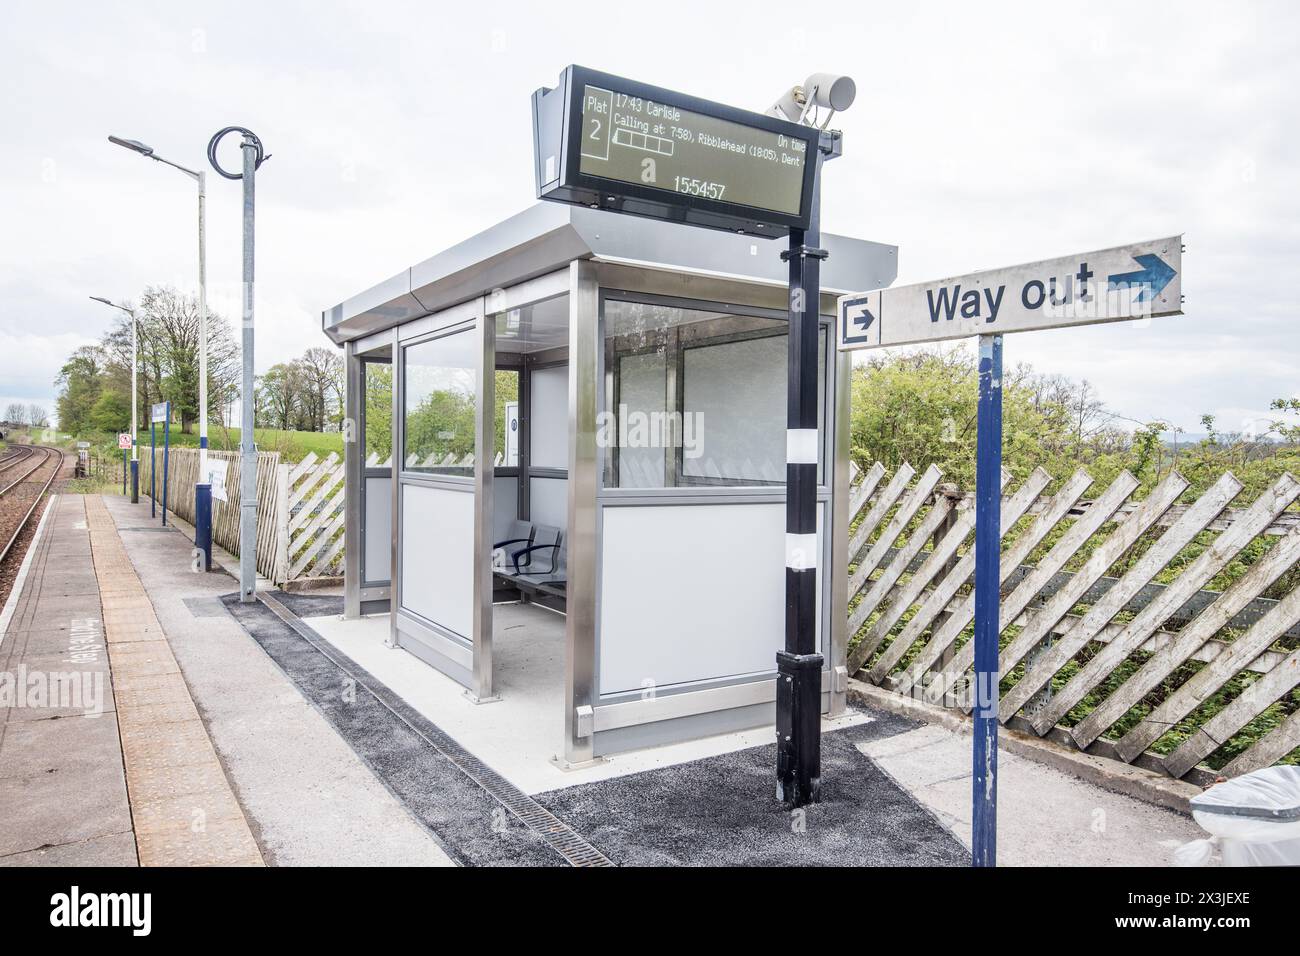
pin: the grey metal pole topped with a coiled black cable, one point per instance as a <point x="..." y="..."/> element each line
<point x="253" y="159"/>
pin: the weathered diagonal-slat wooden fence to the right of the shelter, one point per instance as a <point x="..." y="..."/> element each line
<point x="1095" y="652"/>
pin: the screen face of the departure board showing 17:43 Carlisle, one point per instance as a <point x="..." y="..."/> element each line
<point x="642" y="141"/>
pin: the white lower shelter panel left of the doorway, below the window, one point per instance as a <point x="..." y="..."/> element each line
<point x="439" y="556"/>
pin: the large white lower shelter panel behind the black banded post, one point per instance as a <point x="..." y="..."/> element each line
<point x="692" y="592"/>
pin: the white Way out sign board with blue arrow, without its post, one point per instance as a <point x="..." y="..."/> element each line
<point x="1137" y="282"/>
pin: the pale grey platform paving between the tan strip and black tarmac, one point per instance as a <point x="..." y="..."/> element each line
<point x="309" y="798"/>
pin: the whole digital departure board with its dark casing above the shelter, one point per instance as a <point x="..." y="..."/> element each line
<point x="621" y="145"/>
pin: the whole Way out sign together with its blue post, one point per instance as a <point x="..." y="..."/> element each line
<point x="1100" y="287"/>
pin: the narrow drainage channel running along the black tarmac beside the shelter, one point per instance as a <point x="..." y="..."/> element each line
<point x="554" y="832"/>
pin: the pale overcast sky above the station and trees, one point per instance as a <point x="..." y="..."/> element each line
<point x="985" y="135"/>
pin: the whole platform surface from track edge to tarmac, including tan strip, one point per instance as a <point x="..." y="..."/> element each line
<point x="226" y="760"/>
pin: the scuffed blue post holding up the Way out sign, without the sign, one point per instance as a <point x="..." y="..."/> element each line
<point x="989" y="534"/>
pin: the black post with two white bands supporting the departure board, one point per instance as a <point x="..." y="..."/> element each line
<point x="799" y="667"/>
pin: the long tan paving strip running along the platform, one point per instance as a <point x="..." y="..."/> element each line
<point x="183" y="807"/>
